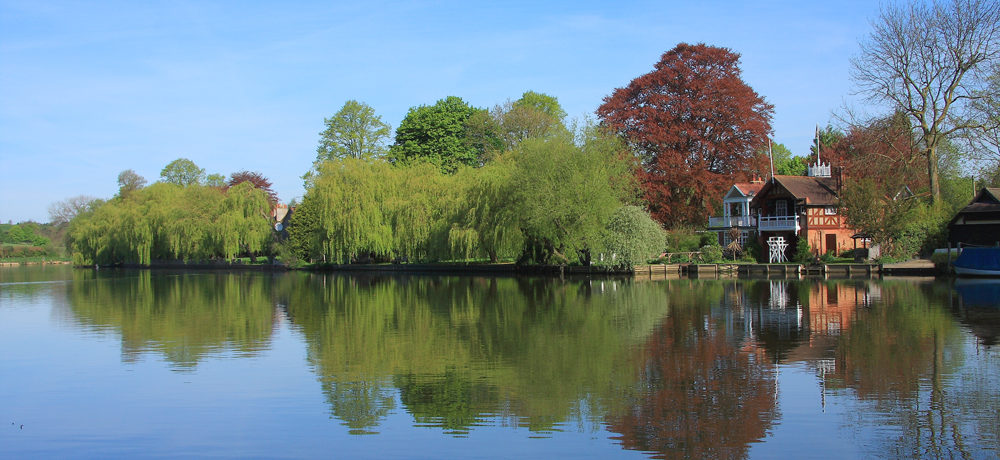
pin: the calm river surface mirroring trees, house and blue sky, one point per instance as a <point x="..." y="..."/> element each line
<point x="178" y="364"/>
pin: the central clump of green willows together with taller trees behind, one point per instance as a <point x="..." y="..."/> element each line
<point x="537" y="193"/>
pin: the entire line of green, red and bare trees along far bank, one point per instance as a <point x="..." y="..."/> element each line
<point x="515" y="182"/>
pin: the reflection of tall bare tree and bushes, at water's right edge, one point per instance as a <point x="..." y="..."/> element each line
<point x="905" y="359"/>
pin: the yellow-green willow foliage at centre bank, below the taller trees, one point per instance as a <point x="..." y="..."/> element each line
<point x="547" y="201"/>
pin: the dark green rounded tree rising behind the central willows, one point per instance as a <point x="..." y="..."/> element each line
<point x="437" y="134"/>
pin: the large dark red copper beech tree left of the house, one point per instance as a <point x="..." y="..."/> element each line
<point x="696" y="127"/>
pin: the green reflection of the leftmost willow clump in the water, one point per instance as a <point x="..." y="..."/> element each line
<point x="181" y="316"/>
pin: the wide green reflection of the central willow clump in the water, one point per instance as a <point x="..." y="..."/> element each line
<point x="463" y="349"/>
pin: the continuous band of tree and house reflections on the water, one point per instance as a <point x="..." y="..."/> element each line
<point x="676" y="368"/>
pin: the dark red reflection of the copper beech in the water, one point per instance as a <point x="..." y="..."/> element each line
<point x="700" y="393"/>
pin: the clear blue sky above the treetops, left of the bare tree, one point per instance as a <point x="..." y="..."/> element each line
<point x="88" y="89"/>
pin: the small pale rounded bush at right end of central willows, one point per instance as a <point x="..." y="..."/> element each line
<point x="632" y="237"/>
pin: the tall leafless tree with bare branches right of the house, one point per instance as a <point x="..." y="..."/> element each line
<point x="929" y="60"/>
